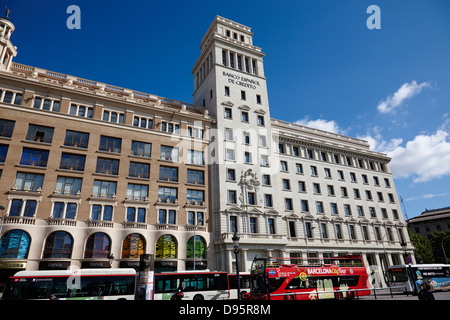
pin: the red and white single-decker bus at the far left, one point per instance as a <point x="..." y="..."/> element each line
<point x="77" y="284"/>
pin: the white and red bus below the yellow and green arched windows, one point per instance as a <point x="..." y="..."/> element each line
<point x="195" y="285"/>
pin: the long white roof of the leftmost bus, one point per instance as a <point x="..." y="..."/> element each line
<point x="81" y="272"/>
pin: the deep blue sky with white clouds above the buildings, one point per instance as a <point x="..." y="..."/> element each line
<point x="324" y="67"/>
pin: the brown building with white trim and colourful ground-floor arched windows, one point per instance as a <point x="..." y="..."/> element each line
<point x="94" y="175"/>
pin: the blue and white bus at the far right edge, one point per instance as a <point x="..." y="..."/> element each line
<point x="409" y="278"/>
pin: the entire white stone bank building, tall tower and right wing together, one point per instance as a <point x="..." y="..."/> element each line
<point x="285" y="189"/>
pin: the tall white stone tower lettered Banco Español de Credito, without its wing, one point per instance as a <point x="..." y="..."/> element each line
<point x="229" y="82"/>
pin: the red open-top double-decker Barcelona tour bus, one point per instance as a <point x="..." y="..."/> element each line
<point x="308" y="278"/>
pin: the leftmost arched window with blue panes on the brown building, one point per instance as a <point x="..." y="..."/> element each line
<point x="15" y="244"/>
